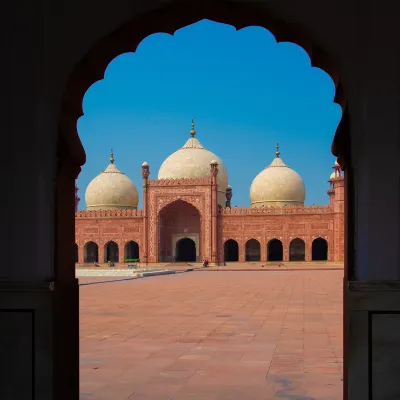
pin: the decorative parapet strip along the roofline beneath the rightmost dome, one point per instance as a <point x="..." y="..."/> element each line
<point x="276" y="210"/>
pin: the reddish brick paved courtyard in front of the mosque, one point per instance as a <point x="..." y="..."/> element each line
<point x="217" y="335"/>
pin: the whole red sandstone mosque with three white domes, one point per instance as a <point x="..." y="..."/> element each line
<point x="187" y="215"/>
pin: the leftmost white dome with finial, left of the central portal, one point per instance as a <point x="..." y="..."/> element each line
<point x="110" y="190"/>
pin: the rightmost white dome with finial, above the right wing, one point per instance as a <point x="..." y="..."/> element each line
<point x="277" y="185"/>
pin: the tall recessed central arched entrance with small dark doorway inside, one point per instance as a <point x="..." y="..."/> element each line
<point x="179" y="231"/>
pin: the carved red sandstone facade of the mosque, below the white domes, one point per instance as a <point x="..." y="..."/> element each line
<point x="219" y="234"/>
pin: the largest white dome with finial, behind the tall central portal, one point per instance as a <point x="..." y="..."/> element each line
<point x="193" y="161"/>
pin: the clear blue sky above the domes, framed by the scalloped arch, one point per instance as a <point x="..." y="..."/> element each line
<point x="245" y="91"/>
